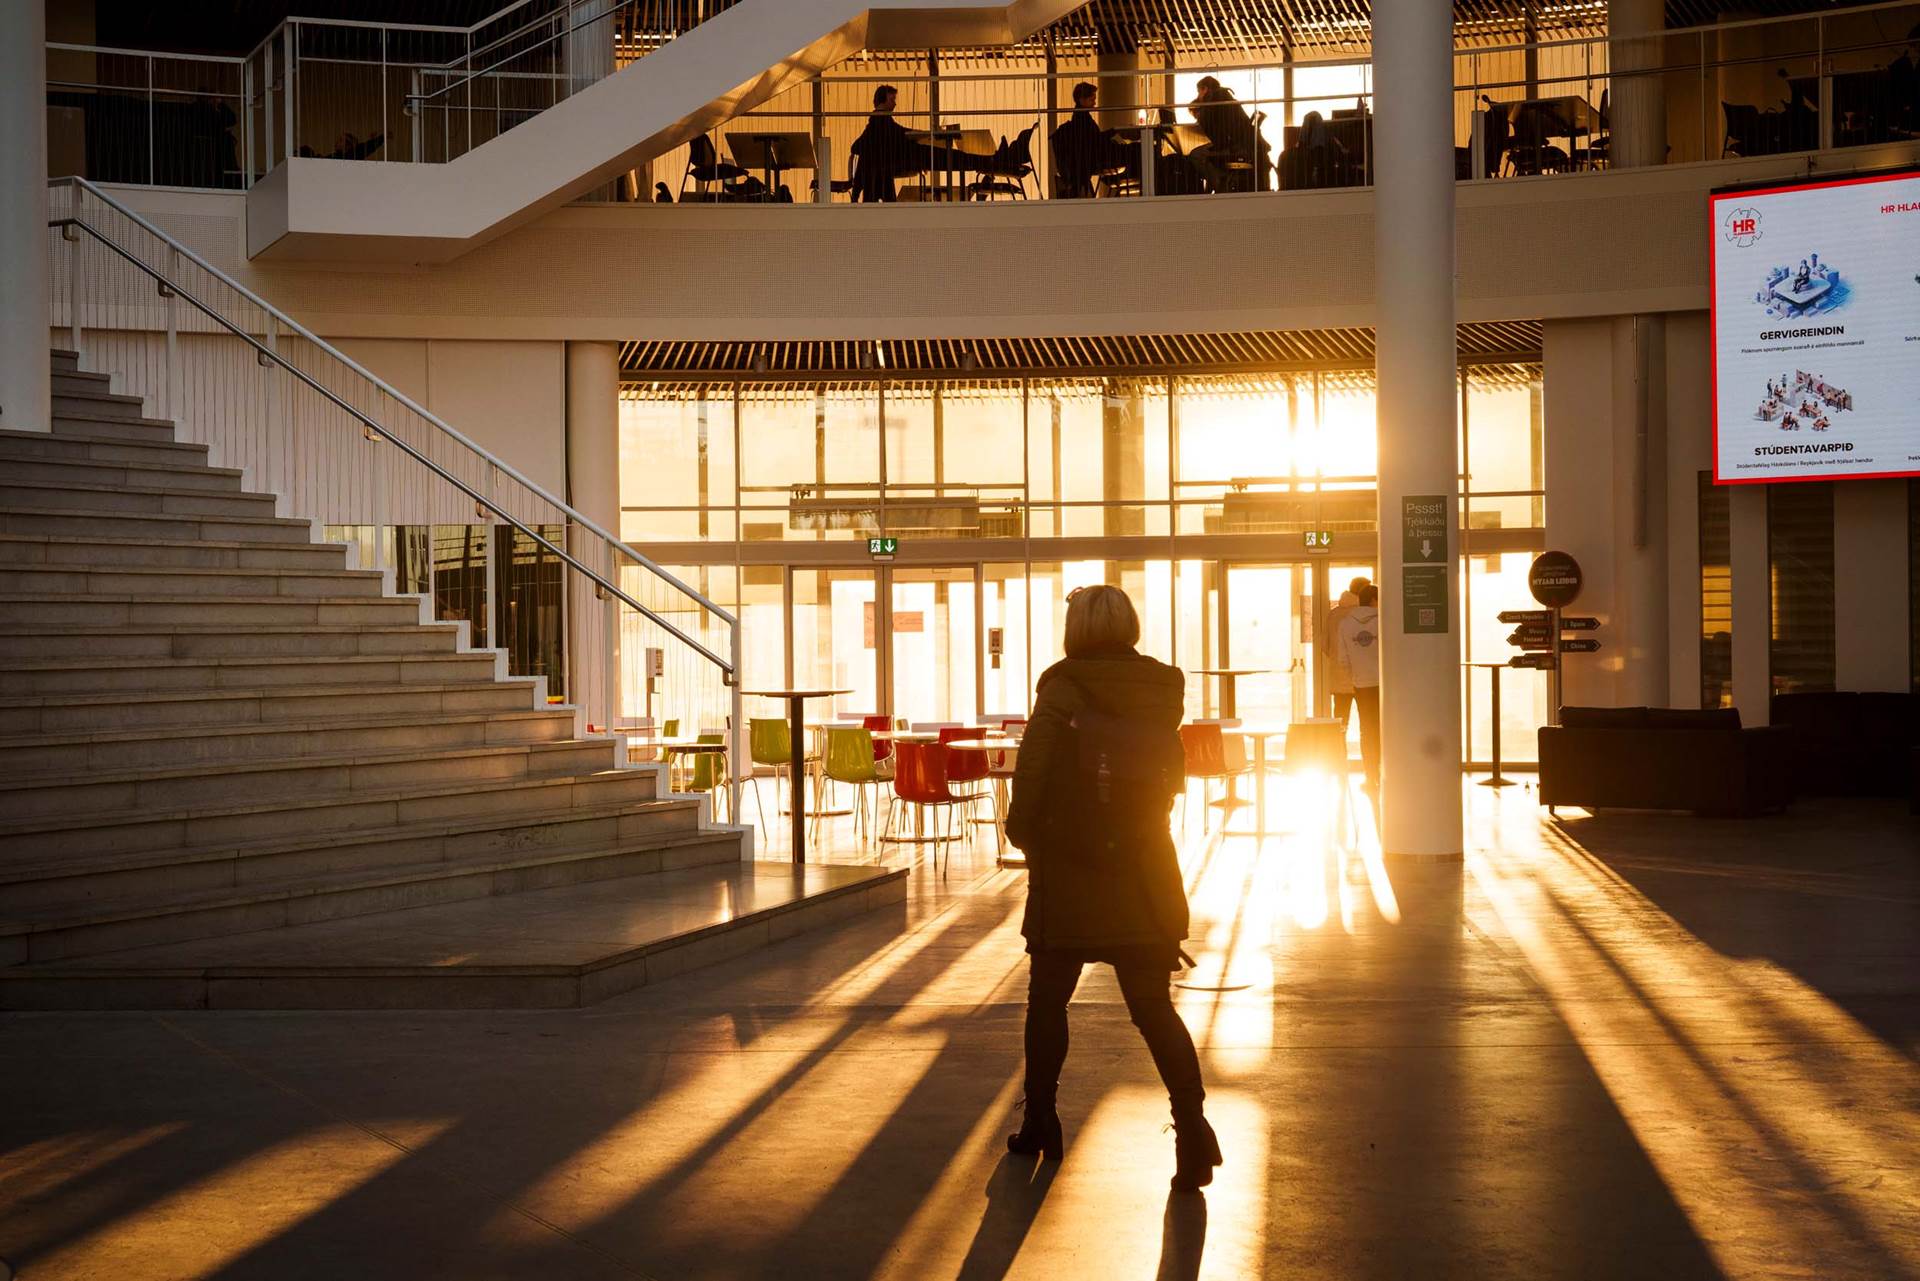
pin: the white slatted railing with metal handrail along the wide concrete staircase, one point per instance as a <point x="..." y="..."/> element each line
<point x="356" y="454"/>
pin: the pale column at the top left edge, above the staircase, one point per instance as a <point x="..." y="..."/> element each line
<point x="26" y="379"/>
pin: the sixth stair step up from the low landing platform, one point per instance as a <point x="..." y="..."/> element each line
<point x="74" y="713"/>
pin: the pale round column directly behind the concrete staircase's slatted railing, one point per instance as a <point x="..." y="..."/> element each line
<point x="594" y="491"/>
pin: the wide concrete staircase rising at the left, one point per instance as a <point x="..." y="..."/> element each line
<point x="212" y="727"/>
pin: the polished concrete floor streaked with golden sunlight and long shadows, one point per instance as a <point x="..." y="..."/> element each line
<point x="1606" y="1048"/>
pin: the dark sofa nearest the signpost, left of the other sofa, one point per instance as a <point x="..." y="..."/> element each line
<point x="1669" y="760"/>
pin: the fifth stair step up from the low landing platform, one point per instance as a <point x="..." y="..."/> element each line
<point x="181" y="746"/>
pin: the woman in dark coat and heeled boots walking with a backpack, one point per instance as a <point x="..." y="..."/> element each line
<point x="1099" y="769"/>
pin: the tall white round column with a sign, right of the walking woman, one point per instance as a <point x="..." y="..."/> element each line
<point x="1420" y="468"/>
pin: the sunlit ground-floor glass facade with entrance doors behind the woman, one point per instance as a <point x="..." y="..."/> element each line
<point x="1234" y="508"/>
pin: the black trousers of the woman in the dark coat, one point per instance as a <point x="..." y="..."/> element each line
<point x="1051" y="982"/>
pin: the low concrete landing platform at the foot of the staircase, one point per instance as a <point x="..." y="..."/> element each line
<point x="544" y="950"/>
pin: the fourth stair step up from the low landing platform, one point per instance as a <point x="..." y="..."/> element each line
<point x="112" y="794"/>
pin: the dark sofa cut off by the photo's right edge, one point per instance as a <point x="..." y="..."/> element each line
<point x="1854" y="744"/>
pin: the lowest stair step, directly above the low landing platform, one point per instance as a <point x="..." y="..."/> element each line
<point x="663" y="838"/>
